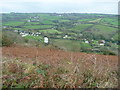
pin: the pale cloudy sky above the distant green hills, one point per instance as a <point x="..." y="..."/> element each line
<point x="60" y="6"/>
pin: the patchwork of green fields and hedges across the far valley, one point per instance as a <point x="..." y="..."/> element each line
<point x="68" y="31"/>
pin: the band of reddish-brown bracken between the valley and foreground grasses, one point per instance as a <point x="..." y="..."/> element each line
<point x="53" y="56"/>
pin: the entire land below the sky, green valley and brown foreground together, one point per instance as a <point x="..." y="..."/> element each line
<point x="59" y="50"/>
